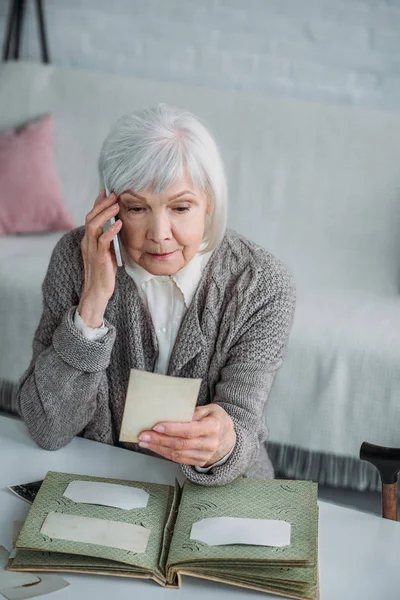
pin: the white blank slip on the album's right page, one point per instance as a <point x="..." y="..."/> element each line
<point x="218" y="531"/>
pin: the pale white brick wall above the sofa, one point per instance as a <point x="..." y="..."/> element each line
<point x="337" y="51"/>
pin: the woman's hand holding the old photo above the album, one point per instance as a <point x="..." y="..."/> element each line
<point x="202" y="442"/>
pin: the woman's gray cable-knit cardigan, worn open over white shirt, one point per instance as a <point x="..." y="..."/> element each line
<point x="233" y="336"/>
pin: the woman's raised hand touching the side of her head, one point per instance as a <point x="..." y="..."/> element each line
<point x="99" y="259"/>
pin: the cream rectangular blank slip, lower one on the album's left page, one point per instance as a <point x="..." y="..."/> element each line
<point x="113" y="534"/>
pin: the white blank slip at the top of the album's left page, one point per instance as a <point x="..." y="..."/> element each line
<point x="106" y="494"/>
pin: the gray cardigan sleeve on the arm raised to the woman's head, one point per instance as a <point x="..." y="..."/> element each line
<point x="58" y="394"/>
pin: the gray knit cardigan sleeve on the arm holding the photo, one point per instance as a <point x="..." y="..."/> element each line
<point x="252" y="362"/>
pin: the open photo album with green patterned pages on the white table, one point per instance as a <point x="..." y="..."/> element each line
<point x="253" y="533"/>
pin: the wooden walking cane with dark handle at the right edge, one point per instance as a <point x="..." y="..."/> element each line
<point x="387" y="461"/>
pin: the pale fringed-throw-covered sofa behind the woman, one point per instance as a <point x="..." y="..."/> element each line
<point x="316" y="185"/>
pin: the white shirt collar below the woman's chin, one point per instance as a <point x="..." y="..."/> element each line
<point x="186" y="279"/>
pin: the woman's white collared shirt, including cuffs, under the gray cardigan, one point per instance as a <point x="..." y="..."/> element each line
<point x="167" y="298"/>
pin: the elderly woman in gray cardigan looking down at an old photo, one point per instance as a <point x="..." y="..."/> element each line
<point x="193" y="299"/>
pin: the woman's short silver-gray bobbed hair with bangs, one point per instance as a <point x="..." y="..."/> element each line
<point x="151" y="148"/>
